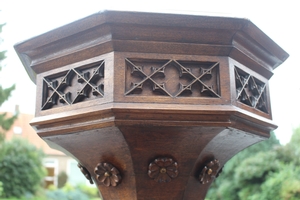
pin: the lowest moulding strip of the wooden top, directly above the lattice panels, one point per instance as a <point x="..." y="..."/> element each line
<point x="34" y="67"/>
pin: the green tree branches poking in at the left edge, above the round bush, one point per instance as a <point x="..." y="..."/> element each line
<point x="5" y="122"/>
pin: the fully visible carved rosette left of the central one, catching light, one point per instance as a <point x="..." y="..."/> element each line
<point x="107" y="174"/>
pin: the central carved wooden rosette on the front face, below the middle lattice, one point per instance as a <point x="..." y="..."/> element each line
<point x="163" y="170"/>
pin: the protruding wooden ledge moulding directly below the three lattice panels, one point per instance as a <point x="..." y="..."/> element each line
<point x="113" y="115"/>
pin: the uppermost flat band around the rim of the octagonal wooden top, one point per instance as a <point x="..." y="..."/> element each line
<point x="154" y="19"/>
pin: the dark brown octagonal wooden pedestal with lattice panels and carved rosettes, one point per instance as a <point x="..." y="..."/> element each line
<point x="152" y="105"/>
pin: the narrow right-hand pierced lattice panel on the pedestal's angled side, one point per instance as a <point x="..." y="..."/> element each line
<point x="250" y="90"/>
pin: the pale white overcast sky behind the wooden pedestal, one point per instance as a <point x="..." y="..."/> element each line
<point x="278" y="19"/>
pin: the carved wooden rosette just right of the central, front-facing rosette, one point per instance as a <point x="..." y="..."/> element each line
<point x="209" y="171"/>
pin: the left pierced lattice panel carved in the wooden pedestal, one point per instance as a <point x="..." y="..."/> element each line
<point x="73" y="86"/>
